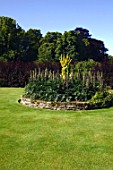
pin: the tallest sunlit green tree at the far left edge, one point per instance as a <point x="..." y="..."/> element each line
<point x="9" y="34"/>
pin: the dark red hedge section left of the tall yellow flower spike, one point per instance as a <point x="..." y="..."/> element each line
<point x="16" y="73"/>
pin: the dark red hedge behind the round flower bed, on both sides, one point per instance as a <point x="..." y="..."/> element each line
<point x="17" y="73"/>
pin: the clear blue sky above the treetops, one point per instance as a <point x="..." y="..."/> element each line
<point x="63" y="15"/>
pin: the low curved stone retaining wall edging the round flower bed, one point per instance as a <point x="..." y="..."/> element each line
<point x="55" y="105"/>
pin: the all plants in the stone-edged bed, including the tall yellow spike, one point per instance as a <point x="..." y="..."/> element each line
<point x="68" y="85"/>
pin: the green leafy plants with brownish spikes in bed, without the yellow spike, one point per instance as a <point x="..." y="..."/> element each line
<point x="52" y="87"/>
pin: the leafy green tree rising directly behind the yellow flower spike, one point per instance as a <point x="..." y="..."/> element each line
<point x="74" y="43"/>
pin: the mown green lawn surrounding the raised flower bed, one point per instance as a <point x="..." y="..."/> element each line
<point x="35" y="139"/>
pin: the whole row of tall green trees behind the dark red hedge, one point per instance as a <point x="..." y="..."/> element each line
<point x="16" y="43"/>
